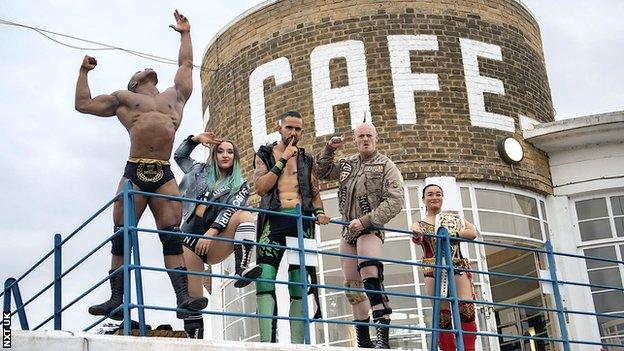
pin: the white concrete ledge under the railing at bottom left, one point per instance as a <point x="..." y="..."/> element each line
<point x="81" y="341"/>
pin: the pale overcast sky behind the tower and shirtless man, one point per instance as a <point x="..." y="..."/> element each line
<point x="59" y="166"/>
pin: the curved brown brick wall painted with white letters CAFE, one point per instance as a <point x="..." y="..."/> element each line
<point x="443" y="82"/>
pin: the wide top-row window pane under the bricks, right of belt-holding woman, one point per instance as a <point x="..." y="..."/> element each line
<point x="502" y="201"/>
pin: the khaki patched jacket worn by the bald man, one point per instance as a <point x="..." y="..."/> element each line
<point x="370" y="189"/>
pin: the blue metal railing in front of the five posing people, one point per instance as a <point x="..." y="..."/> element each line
<point x="132" y="263"/>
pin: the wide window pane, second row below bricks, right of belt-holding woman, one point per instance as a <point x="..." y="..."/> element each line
<point x="510" y="224"/>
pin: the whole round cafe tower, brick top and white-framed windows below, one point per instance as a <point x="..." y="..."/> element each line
<point x="445" y="82"/>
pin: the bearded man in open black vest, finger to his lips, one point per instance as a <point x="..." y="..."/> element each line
<point x="284" y="176"/>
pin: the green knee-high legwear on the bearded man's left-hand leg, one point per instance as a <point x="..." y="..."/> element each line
<point x="267" y="304"/>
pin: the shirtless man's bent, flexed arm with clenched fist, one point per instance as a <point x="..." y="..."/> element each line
<point x="102" y="105"/>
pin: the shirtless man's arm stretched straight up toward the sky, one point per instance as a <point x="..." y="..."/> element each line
<point x="184" y="79"/>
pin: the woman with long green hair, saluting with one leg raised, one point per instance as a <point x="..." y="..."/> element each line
<point x="217" y="180"/>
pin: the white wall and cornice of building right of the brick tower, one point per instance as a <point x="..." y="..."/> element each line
<point x="586" y="157"/>
